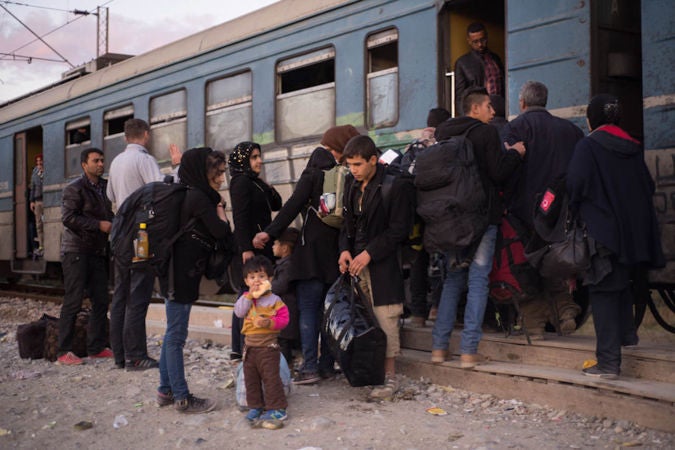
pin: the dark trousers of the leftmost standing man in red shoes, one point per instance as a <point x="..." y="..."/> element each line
<point x="84" y="272"/>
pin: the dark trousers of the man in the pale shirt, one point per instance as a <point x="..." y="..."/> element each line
<point x="131" y="298"/>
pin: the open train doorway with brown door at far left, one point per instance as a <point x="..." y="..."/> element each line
<point x="28" y="147"/>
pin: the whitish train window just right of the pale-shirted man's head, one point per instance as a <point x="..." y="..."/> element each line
<point x="168" y="123"/>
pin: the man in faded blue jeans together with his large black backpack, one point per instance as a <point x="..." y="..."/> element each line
<point x="468" y="258"/>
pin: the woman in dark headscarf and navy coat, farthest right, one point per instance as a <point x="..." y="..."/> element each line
<point x="611" y="189"/>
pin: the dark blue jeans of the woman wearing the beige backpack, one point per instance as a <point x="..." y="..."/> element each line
<point x="310" y="295"/>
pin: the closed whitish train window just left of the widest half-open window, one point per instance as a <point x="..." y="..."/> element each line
<point x="229" y="112"/>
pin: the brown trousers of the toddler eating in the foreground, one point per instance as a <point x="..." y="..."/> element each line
<point x="261" y="368"/>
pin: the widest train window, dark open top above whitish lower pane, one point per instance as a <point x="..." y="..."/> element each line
<point x="305" y="95"/>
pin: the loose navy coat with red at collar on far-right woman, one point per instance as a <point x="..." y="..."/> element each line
<point x="610" y="185"/>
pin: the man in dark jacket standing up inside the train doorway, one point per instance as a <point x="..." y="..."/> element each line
<point x="478" y="68"/>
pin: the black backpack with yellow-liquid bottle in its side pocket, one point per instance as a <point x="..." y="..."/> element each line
<point x="158" y="205"/>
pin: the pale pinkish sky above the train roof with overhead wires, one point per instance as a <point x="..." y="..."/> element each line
<point x="135" y="27"/>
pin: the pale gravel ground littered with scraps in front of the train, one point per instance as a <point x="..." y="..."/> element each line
<point x="43" y="402"/>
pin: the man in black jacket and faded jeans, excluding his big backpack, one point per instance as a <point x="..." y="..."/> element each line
<point x="494" y="167"/>
